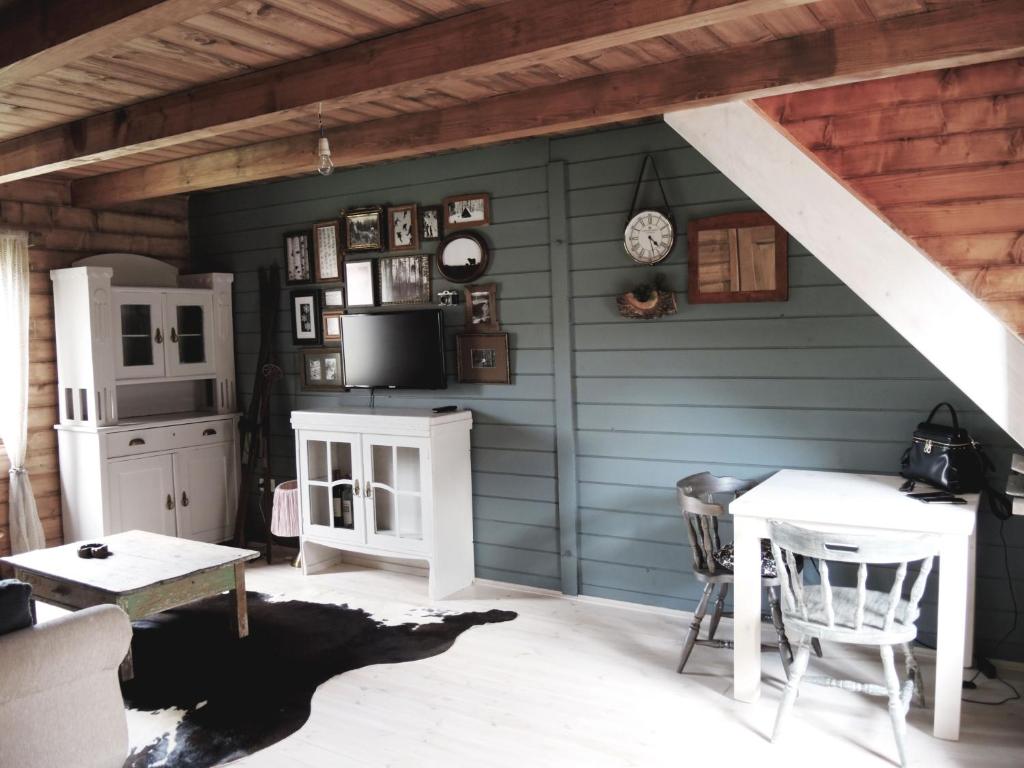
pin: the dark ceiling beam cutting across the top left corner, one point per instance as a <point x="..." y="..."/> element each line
<point x="37" y="36"/>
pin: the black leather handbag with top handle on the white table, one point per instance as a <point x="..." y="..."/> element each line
<point x="946" y="457"/>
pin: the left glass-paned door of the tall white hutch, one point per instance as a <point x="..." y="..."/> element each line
<point x="139" y="318"/>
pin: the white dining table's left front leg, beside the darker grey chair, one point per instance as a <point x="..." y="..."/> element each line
<point x="747" y="610"/>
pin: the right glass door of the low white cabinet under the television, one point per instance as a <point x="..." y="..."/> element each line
<point x="395" y="493"/>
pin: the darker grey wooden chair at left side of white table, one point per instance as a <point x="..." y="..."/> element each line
<point x="704" y="499"/>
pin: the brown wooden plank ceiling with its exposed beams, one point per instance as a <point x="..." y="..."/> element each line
<point x="134" y="99"/>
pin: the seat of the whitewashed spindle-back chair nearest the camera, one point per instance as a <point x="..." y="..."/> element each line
<point x="845" y="609"/>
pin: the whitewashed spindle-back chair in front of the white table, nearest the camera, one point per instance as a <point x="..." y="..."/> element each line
<point x="856" y="615"/>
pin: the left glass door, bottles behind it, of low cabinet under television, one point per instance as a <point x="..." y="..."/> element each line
<point x="332" y="486"/>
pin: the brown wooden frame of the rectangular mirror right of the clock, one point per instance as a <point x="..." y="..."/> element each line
<point x="737" y="222"/>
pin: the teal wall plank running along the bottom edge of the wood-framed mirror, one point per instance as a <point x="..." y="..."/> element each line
<point x="813" y="302"/>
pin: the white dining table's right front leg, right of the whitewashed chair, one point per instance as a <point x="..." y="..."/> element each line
<point x="951" y="635"/>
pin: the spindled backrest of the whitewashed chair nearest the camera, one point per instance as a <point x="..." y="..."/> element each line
<point x="865" y="550"/>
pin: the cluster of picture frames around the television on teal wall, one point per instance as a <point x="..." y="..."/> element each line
<point x="375" y="259"/>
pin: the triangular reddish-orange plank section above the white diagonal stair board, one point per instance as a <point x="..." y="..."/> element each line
<point x="941" y="155"/>
